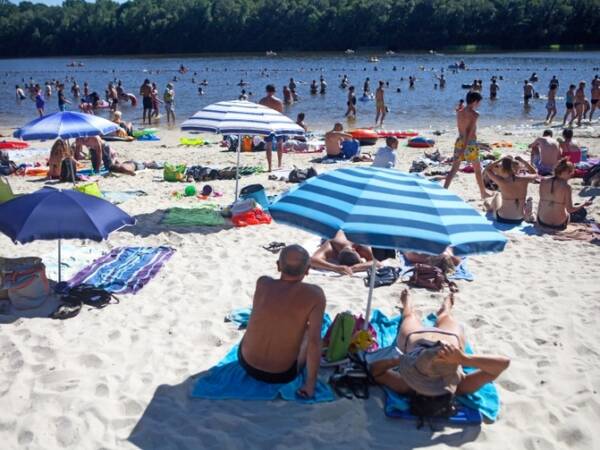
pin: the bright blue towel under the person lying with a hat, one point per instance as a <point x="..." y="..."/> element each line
<point x="485" y="401"/>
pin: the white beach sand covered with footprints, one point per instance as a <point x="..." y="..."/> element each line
<point x="118" y="378"/>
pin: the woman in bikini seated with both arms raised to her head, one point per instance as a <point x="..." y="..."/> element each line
<point x="510" y="206"/>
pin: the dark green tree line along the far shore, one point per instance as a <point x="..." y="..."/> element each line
<point x="198" y="26"/>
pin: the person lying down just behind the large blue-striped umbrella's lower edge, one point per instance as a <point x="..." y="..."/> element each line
<point x="342" y="256"/>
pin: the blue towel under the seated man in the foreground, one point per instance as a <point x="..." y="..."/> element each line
<point x="229" y="381"/>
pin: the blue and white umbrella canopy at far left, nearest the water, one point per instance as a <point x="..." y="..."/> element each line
<point x="66" y="125"/>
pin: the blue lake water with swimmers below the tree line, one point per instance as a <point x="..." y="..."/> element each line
<point x="422" y="107"/>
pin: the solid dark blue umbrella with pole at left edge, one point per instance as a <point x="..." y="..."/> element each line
<point x="50" y="214"/>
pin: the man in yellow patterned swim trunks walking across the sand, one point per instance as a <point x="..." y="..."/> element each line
<point x="466" y="147"/>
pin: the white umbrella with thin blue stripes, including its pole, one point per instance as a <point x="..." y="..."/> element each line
<point x="241" y="118"/>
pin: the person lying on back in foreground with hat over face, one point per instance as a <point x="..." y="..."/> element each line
<point x="430" y="361"/>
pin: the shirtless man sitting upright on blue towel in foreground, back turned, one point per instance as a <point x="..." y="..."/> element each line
<point x="284" y="330"/>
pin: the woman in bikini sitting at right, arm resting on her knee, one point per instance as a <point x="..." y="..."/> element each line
<point x="556" y="201"/>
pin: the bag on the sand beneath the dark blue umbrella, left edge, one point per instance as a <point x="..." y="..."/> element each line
<point x="27" y="287"/>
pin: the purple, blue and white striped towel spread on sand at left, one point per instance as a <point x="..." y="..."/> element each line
<point x="124" y="270"/>
